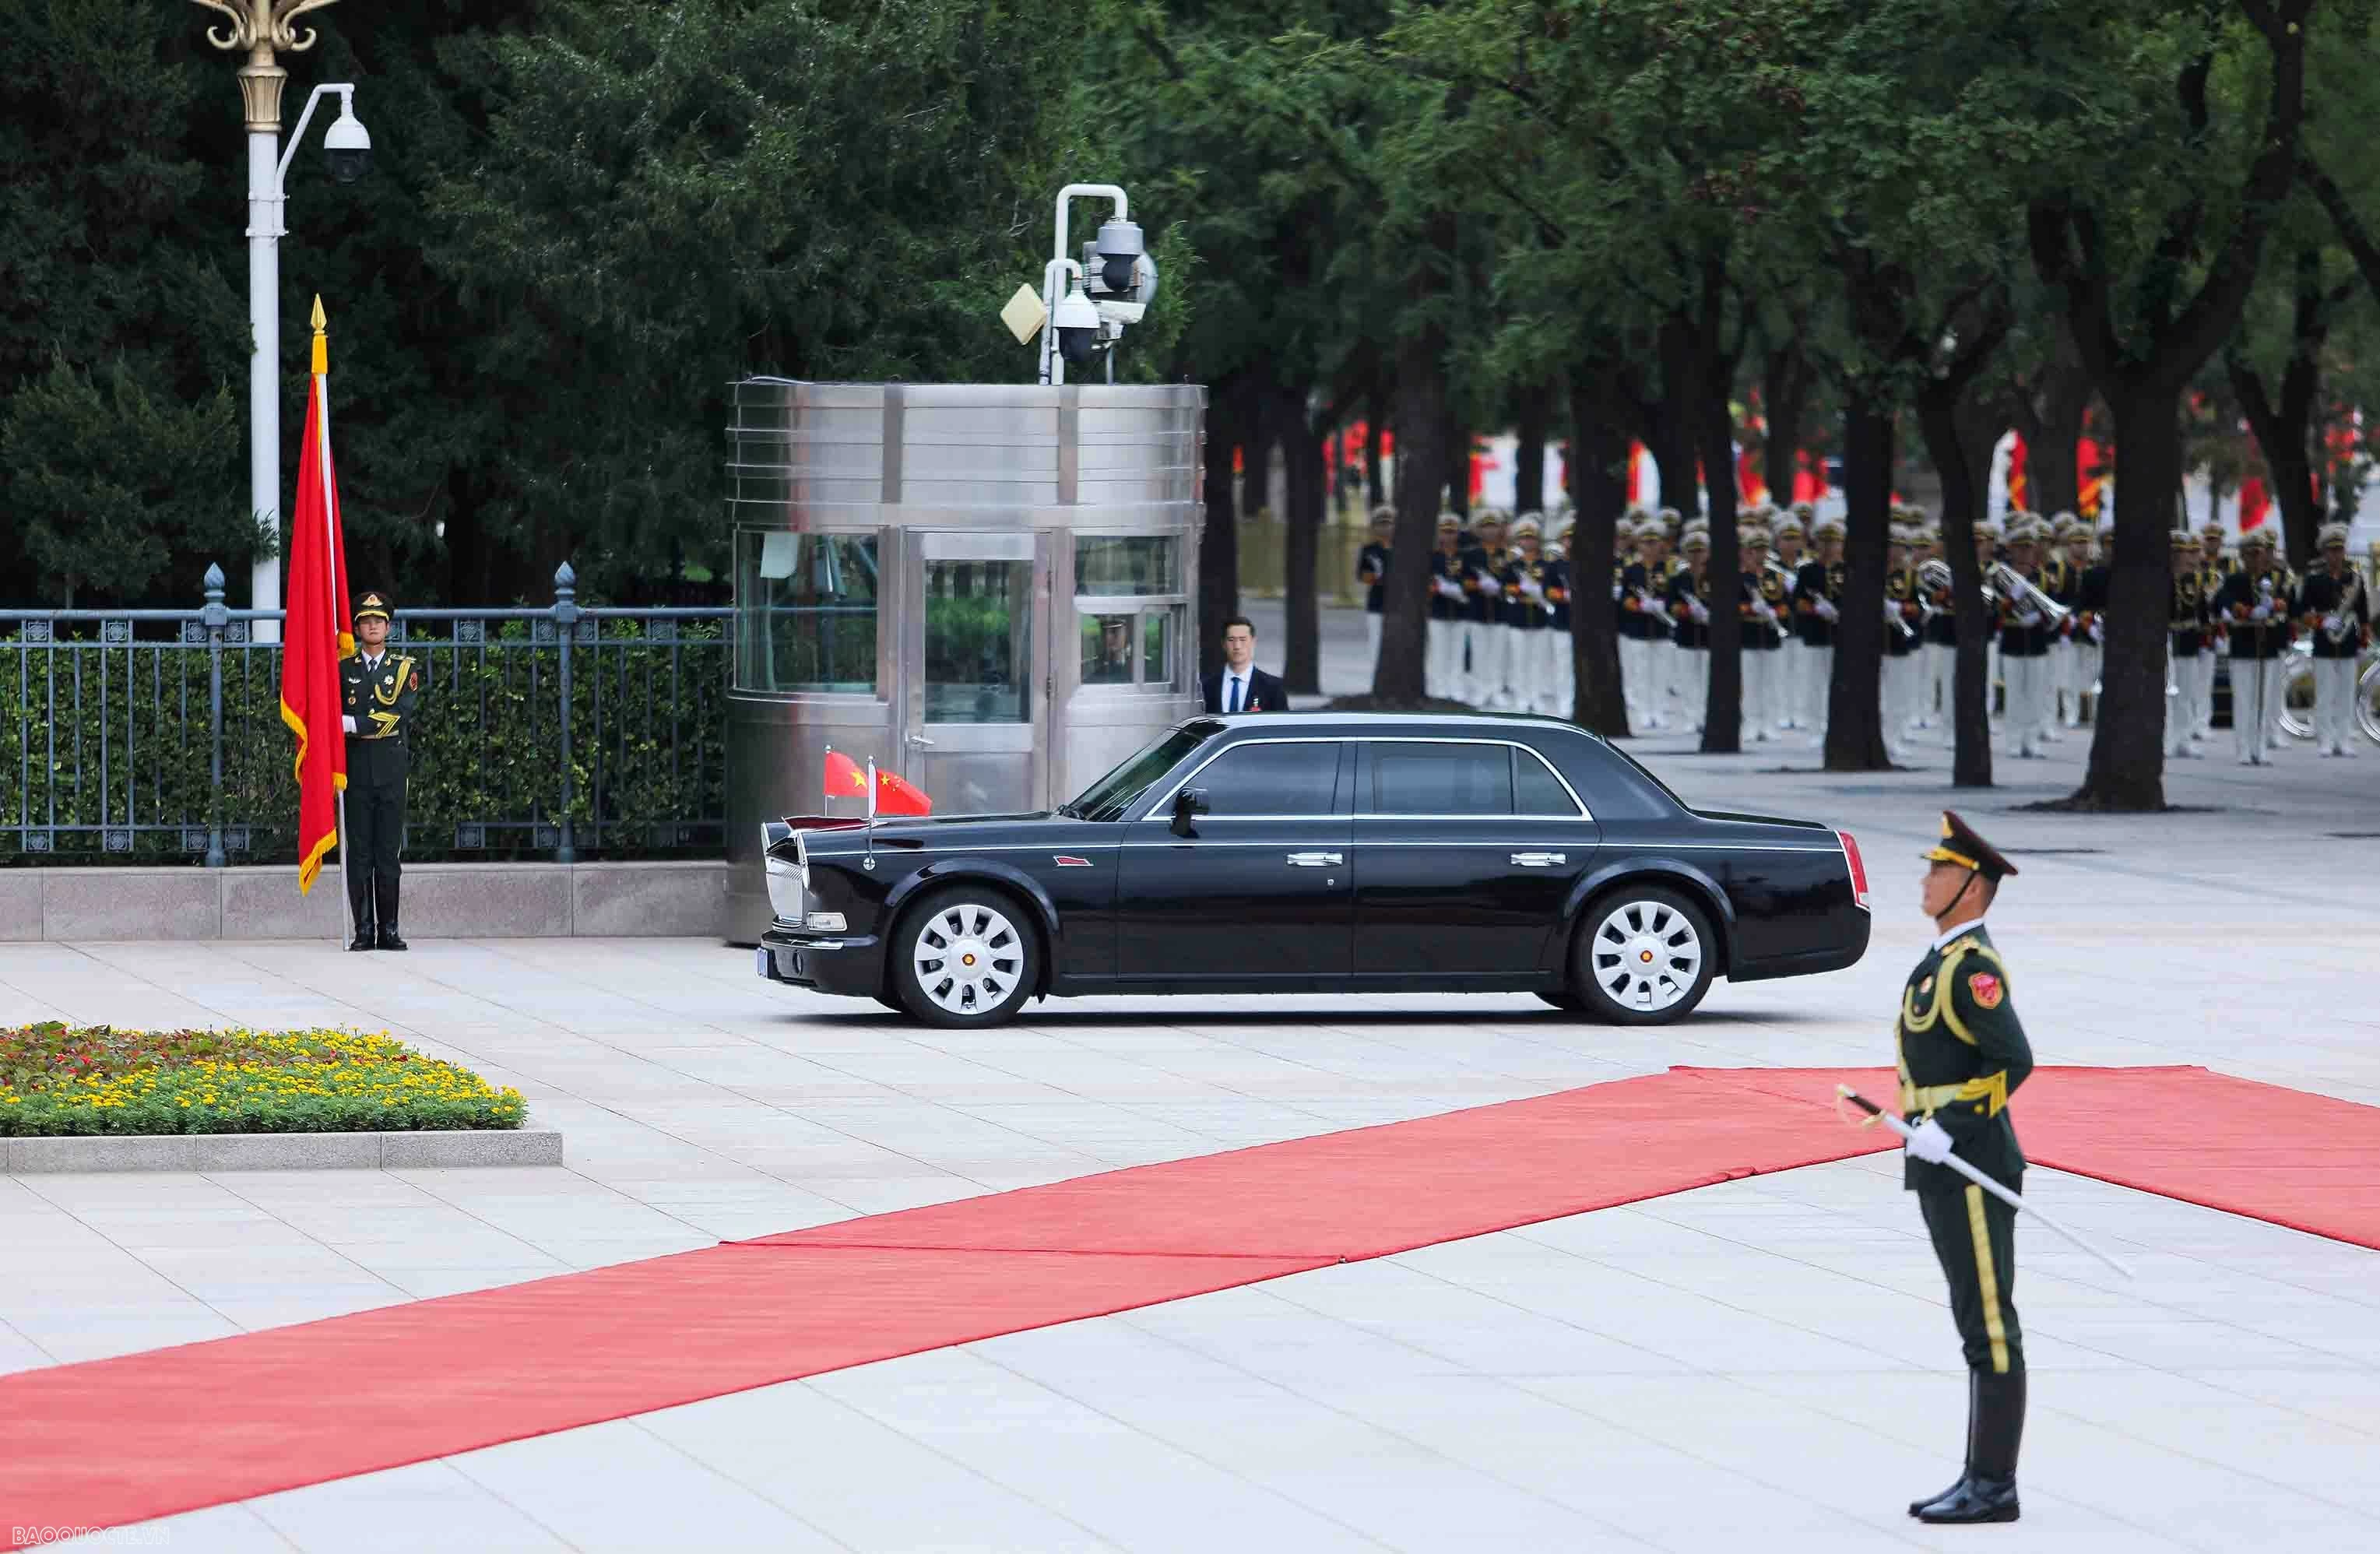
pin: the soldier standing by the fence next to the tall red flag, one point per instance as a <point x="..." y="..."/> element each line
<point x="380" y="694"/>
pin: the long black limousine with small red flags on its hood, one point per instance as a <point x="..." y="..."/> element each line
<point x="1322" y="853"/>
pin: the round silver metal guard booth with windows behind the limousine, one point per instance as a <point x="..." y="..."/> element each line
<point x="984" y="587"/>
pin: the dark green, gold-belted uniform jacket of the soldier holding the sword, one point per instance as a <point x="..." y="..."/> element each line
<point x="1962" y="1055"/>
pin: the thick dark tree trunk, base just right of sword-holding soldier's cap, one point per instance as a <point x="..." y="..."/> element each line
<point x="2129" y="737"/>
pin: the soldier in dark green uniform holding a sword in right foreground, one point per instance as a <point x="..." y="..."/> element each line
<point x="1962" y="1055"/>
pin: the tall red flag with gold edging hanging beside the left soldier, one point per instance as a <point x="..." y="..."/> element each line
<point x="315" y="632"/>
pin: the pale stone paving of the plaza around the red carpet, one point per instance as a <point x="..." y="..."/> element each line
<point x="1758" y="1365"/>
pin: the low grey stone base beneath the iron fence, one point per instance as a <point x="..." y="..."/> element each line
<point x="441" y="903"/>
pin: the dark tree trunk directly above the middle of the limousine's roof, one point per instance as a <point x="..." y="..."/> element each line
<point x="1422" y="480"/>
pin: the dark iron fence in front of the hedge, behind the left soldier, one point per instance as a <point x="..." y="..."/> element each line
<point x="568" y="732"/>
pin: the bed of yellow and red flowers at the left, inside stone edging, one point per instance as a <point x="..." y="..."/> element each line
<point x="63" y="1079"/>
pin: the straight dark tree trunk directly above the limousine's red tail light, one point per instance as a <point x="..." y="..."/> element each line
<point x="1855" y="722"/>
